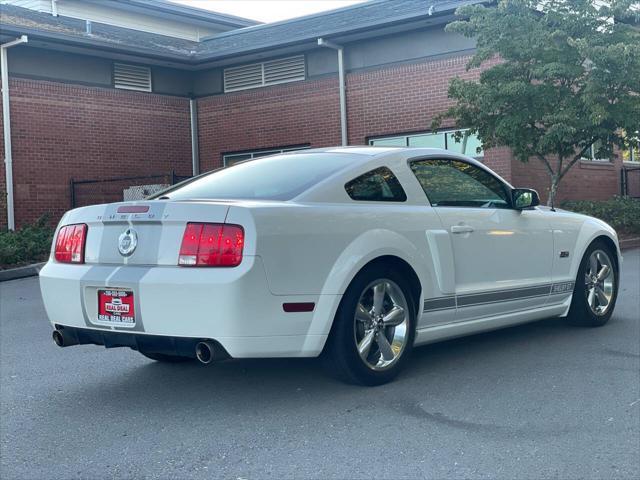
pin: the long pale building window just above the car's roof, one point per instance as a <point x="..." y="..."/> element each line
<point x="469" y="144"/>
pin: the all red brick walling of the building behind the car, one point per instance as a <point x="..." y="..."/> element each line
<point x="62" y="131"/>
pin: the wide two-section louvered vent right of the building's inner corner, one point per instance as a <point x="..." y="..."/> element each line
<point x="272" y="72"/>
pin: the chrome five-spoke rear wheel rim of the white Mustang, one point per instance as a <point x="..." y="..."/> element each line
<point x="380" y="324"/>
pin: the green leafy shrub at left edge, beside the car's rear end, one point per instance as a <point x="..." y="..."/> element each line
<point x="30" y="244"/>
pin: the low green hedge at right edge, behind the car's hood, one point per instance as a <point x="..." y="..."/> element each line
<point x="621" y="213"/>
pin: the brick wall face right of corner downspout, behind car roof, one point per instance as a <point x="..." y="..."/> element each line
<point x="397" y="99"/>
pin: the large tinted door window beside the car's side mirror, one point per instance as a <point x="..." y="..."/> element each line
<point x="452" y="183"/>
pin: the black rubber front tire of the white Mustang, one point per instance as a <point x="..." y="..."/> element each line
<point x="580" y="312"/>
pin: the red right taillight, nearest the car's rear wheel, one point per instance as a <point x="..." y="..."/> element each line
<point x="211" y="245"/>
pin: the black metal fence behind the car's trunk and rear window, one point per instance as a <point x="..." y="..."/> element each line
<point x="107" y="190"/>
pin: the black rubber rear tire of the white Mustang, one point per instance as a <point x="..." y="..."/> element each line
<point x="341" y="354"/>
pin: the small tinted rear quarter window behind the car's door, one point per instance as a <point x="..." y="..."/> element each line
<point x="379" y="185"/>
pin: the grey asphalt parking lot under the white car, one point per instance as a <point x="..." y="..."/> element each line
<point x="544" y="400"/>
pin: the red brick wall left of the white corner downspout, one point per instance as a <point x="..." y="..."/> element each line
<point x="62" y="131"/>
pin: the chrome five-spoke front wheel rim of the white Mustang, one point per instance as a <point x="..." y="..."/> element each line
<point x="599" y="282"/>
